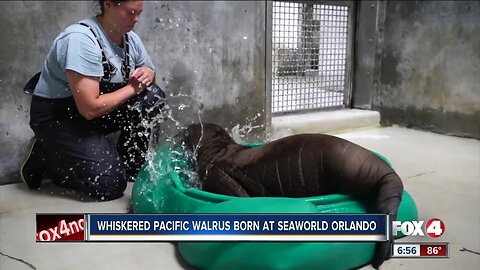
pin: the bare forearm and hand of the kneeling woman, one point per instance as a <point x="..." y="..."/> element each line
<point x="86" y="93"/>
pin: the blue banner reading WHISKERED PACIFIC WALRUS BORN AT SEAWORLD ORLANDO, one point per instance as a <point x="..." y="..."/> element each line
<point x="342" y="225"/>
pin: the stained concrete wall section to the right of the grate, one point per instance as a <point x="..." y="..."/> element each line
<point x="429" y="73"/>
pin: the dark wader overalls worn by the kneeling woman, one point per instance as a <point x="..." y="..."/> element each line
<point x="78" y="154"/>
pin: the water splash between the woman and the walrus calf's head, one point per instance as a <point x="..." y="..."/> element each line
<point x="178" y="112"/>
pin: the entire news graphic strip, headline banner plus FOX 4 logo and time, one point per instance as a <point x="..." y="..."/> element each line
<point x="426" y="234"/>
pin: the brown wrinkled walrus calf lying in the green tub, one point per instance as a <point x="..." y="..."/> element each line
<point x="296" y="166"/>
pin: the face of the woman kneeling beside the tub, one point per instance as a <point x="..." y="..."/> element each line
<point x="124" y="15"/>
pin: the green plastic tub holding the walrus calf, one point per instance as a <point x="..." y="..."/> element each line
<point x="164" y="191"/>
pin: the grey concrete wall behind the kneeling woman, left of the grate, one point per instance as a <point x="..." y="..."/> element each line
<point x="214" y="50"/>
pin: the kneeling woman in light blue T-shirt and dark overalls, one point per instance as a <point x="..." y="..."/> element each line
<point x="93" y="83"/>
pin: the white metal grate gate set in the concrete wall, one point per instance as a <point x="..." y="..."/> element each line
<point x="310" y="56"/>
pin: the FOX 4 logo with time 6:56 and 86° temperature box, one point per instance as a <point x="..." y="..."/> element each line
<point x="428" y="233"/>
